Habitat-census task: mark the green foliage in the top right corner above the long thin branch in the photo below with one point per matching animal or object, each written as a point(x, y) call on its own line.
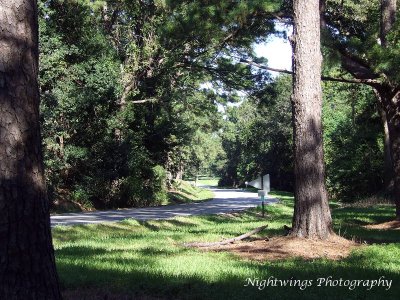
point(355, 26)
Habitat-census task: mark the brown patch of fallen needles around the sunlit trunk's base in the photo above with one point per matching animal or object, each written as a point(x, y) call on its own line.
point(284, 247)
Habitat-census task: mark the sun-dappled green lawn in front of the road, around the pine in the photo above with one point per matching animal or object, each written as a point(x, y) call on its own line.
point(146, 258)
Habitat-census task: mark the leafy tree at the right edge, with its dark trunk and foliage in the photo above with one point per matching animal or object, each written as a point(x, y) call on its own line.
point(364, 37)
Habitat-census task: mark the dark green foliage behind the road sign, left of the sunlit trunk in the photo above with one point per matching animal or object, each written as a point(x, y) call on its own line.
point(258, 135)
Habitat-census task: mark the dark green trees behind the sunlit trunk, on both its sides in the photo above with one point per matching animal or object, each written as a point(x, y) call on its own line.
point(258, 139)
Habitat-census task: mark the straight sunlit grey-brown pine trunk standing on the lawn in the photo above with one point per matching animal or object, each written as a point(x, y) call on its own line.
point(312, 218)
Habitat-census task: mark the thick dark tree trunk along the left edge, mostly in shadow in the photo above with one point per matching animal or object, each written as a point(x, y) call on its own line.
point(27, 266)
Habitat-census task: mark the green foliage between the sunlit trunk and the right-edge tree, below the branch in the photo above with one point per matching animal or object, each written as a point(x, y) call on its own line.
point(353, 141)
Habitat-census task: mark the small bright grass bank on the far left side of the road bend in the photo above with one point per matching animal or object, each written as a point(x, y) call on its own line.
point(184, 192)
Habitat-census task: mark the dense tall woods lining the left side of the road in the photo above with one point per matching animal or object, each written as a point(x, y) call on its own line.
point(124, 107)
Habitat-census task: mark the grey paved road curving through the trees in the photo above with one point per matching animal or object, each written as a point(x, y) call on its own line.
point(225, 201)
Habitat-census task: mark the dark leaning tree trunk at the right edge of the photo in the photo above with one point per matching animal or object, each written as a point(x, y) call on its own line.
point(390, 101)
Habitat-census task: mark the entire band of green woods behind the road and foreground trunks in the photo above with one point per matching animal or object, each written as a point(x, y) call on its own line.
point(137, 93)
